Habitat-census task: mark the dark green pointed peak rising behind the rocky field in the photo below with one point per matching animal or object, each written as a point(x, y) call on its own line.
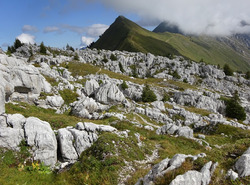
point(124, 34)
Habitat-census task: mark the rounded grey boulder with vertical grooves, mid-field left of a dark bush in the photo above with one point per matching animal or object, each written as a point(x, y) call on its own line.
point(109, 93)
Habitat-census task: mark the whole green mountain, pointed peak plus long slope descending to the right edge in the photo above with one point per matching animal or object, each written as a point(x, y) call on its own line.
point(124, 34)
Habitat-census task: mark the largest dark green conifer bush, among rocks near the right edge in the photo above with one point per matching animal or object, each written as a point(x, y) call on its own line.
point(234, 109)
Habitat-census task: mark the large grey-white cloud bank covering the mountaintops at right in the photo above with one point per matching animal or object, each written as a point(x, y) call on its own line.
point(215, 17)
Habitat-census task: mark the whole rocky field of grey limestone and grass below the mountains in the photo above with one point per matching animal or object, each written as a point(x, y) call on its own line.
point(115, 117)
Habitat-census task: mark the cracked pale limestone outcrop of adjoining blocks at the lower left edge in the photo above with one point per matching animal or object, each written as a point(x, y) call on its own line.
point(36, 133)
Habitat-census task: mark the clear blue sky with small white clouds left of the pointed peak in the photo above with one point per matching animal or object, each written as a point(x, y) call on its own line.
point(55, 22)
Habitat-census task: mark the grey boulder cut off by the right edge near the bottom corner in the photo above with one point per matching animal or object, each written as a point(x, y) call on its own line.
point(242, 165)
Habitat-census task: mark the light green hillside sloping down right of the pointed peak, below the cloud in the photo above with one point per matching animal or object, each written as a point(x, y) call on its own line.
point(209, 49)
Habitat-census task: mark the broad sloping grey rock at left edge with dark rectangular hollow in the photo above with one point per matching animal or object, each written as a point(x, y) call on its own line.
point(20, 77)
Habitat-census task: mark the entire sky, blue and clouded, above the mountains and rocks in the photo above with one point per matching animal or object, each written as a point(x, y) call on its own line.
point(79, 22)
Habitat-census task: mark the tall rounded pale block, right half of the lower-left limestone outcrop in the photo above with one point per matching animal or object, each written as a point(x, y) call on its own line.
point(42, 139)
